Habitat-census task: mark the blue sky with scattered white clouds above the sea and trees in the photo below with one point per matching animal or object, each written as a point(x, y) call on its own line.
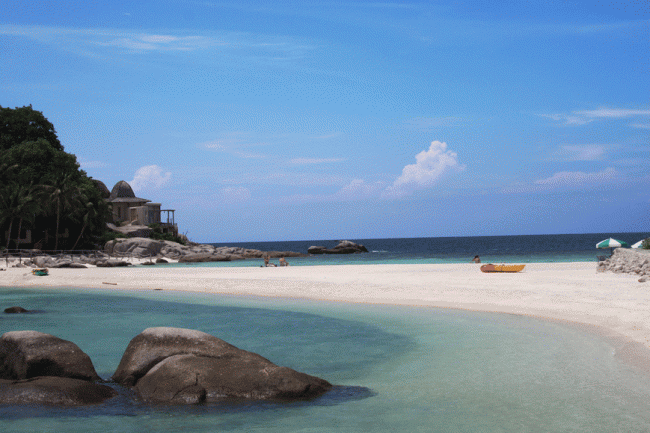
point(262, 121)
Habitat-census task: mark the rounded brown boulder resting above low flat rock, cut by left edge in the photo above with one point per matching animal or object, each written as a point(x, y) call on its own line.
point(28, 354)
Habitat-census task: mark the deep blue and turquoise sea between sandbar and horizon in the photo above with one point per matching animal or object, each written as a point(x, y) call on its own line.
point(491, 249)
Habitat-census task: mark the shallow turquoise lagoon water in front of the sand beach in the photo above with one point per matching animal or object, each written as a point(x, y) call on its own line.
point(396, 369)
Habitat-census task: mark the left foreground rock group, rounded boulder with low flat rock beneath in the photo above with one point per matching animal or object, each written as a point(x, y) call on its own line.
point(41, 368)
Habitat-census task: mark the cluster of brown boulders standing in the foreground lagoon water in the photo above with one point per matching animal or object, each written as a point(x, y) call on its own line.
point(160, 365)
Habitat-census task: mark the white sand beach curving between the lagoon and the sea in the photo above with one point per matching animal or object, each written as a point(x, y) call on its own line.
point(616, 305)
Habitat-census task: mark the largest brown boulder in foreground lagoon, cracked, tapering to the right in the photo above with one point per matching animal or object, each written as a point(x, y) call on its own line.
point(185, 366)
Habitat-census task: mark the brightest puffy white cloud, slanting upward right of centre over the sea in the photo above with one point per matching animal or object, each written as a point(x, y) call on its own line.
point(429, 167)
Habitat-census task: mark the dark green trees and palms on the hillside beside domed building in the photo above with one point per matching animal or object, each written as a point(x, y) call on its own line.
point(42, 187)
